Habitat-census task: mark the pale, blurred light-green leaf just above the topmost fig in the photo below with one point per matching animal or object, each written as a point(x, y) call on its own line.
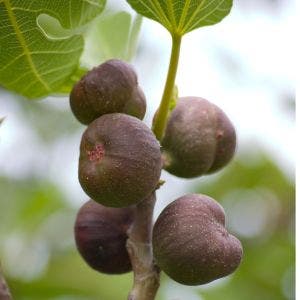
point(112, 36)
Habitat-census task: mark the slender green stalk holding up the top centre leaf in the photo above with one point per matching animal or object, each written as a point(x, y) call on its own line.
point(160, 121)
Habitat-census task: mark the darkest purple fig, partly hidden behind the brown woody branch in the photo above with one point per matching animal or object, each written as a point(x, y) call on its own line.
point(100, 236)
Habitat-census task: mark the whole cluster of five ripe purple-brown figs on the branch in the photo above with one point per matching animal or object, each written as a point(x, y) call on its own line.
point(120, 165)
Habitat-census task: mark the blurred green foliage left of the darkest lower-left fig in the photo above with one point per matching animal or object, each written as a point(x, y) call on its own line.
point(35, 212)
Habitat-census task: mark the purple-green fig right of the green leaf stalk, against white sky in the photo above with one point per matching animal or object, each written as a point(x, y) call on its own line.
point(199, 139)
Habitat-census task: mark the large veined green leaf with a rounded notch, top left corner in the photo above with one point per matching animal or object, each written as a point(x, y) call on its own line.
point(32, 62)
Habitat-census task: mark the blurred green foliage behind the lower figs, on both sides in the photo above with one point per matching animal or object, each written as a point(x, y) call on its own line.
point(28, 209)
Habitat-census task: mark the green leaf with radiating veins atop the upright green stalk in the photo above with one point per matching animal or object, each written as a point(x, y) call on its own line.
point(179, 16)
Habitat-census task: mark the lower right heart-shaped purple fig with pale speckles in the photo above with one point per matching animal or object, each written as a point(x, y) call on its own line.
point(191, 244)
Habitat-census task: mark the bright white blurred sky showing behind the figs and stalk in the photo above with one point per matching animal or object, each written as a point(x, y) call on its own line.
point(242, 64)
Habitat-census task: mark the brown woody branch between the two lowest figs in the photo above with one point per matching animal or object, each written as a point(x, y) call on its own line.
point(139, 247)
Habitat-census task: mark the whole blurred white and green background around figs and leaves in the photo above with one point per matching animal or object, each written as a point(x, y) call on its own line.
point(245, 65)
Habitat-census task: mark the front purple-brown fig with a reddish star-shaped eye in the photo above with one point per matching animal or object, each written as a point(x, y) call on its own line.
point(120, 160)
